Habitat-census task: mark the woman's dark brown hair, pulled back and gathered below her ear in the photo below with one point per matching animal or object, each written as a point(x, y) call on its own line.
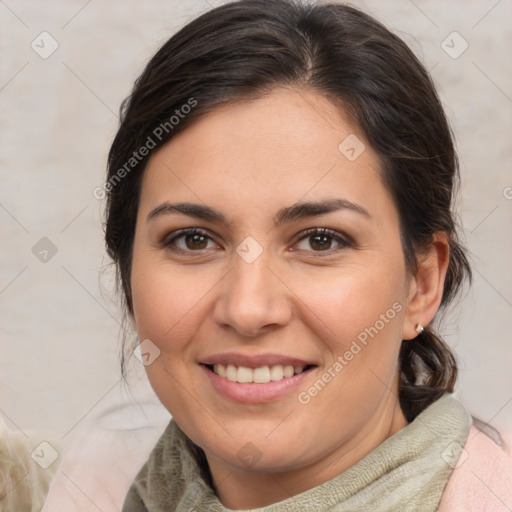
point(245, 49)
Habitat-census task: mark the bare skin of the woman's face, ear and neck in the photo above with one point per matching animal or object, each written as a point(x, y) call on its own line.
point(248, 160)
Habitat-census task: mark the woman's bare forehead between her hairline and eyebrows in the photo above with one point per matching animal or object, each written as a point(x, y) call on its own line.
point(260, 154)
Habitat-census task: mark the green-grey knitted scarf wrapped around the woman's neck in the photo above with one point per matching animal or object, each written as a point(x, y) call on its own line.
point(407, 472)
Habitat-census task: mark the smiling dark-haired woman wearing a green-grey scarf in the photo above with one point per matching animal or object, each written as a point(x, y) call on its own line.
point(280, 213)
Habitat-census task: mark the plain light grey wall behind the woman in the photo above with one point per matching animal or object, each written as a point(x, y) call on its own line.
point(59, 330)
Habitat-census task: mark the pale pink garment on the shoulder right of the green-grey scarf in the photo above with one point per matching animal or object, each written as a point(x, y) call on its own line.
point(481, 481)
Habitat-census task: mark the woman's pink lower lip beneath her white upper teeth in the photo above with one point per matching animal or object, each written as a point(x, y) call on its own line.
point(252, 393)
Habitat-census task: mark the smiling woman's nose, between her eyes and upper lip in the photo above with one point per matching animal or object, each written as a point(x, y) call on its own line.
point(252, 298)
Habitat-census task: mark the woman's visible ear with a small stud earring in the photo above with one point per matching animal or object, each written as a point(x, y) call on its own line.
point(426, 287)
